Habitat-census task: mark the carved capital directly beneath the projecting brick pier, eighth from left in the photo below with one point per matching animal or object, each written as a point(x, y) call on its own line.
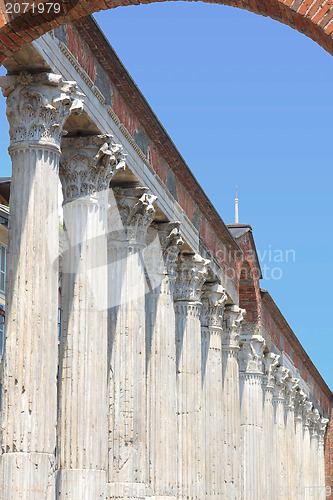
point(251, 354)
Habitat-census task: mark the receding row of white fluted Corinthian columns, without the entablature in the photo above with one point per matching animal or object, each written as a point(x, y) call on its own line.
point(157, 392)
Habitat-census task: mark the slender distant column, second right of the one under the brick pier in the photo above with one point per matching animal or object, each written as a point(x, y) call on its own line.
point(279, 426)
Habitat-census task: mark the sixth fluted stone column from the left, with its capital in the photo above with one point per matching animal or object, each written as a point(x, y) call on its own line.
point(213, 300)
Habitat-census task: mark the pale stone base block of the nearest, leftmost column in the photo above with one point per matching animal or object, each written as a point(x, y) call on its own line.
point(28, 476)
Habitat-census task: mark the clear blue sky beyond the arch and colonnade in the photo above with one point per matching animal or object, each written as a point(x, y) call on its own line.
point(247, 101)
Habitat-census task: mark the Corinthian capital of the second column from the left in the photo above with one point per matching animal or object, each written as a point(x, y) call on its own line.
point(88, 164)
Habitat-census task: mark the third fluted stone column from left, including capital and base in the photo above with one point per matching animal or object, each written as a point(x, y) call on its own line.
point(131, 213)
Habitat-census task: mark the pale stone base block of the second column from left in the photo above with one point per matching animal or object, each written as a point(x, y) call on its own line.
point(81, 484)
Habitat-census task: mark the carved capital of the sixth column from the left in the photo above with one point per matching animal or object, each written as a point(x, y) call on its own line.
point(213, 299)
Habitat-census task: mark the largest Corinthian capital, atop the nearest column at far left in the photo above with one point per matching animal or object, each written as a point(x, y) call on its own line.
point(38, 106)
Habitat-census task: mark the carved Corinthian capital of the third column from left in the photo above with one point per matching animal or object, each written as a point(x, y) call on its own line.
point(135, 206)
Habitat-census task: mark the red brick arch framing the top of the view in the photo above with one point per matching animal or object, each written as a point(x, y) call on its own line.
point(314, 18)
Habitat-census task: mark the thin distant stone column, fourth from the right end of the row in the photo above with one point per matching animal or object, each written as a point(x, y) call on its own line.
point(299, 459)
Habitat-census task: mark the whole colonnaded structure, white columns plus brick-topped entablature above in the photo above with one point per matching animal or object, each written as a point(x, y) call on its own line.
point(175, 376)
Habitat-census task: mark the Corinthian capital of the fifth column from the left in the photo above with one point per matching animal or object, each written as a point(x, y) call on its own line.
point(191, 274)
